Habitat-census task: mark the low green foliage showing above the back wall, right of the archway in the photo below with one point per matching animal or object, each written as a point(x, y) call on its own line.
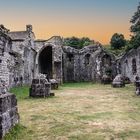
point(77, 43)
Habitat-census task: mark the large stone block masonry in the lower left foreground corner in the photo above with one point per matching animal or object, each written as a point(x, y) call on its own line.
point(8, 110)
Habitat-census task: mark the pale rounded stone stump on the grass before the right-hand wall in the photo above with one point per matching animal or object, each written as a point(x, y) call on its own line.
point(118, 81)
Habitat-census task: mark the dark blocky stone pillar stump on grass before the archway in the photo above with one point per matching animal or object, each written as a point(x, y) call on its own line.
point(40, 87)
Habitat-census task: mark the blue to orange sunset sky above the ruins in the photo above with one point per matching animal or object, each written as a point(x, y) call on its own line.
point(96, 19)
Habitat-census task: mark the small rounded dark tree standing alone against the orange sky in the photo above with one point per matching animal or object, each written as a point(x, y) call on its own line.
point(117, 41)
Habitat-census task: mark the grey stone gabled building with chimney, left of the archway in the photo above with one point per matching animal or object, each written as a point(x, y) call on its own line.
point(22, 57)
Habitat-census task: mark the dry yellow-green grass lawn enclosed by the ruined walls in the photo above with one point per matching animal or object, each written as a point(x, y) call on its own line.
point(80, 111)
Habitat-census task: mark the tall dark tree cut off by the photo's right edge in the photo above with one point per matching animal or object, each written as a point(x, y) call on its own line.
point(135, 29)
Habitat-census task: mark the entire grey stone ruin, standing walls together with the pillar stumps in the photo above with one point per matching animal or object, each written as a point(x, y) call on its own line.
point(23, 58)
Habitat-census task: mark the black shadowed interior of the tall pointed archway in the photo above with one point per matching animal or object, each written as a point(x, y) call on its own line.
point(45, 61)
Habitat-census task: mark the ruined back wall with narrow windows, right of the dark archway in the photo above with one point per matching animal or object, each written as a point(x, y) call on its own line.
point(86, 64)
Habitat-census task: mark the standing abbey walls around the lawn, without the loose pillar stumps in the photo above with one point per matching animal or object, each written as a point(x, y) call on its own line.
point(22, 58)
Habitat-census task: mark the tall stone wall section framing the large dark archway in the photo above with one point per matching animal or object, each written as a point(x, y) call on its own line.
point(55, 43)
